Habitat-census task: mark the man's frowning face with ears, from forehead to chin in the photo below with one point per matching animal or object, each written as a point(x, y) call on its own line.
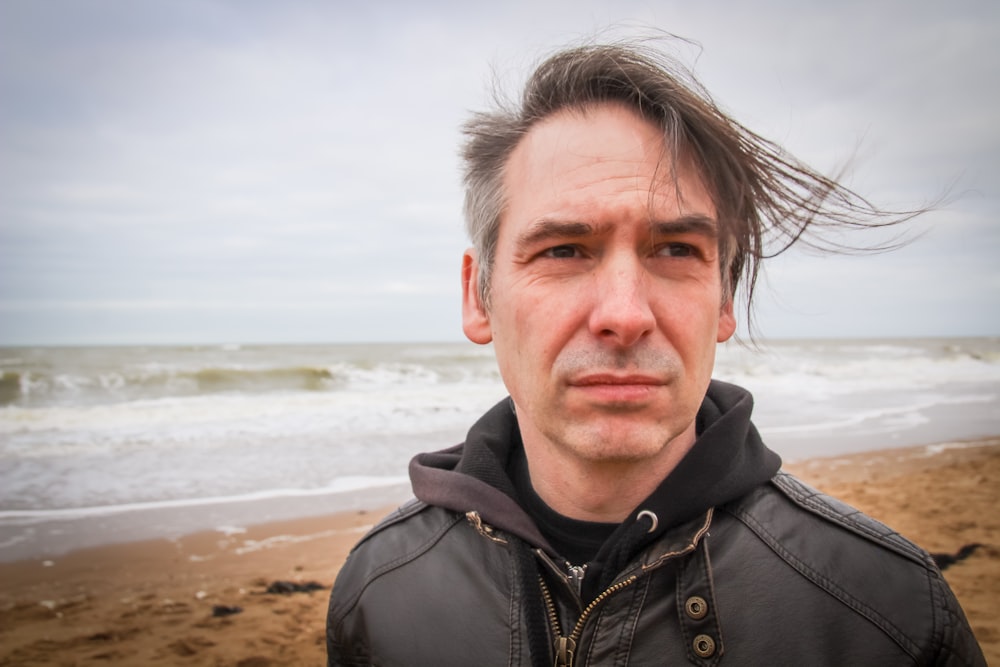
point(606, 301)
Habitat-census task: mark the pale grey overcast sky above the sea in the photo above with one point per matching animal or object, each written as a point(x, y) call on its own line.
point(250, 171)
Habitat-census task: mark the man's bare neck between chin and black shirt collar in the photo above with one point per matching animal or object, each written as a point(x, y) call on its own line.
point(602, 491)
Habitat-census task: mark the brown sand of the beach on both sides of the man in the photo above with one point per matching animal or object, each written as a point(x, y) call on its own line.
point(151, 603)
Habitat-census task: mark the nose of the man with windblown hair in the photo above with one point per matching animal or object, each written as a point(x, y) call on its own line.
point(621, 313)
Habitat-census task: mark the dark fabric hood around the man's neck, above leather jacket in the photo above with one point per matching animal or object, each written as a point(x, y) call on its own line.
point(728, 460)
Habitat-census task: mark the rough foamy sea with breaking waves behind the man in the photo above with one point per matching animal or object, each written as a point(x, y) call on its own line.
point(102, 444)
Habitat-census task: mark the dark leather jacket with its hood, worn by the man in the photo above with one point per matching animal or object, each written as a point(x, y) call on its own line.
point(776, 574)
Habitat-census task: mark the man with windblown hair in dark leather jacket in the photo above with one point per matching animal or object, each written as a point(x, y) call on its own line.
point(620, 508)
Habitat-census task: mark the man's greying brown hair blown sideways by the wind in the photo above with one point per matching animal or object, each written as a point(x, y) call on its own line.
point(765, 199)
